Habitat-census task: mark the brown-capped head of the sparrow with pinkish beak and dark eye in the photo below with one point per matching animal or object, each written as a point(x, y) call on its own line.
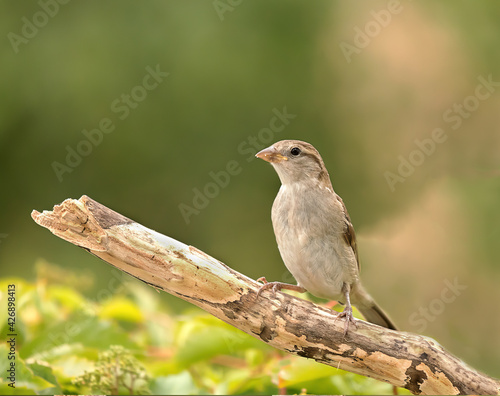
point(296, 161)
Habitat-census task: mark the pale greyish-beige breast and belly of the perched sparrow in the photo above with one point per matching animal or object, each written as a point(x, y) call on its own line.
point(309, 233)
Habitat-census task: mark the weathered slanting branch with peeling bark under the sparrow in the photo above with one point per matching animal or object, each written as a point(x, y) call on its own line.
point(288, 323)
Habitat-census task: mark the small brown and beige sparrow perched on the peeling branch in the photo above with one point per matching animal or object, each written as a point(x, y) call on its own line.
point(315, 234)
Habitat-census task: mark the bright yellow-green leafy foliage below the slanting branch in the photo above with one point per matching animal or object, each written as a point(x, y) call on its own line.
point(130, 343)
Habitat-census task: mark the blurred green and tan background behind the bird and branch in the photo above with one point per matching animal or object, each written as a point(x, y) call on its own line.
point(400, 98)
